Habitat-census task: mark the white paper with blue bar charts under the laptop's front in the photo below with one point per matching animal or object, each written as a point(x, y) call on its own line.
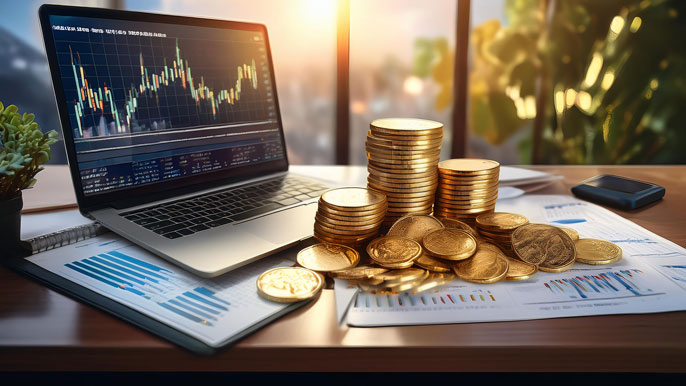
point(211, 310)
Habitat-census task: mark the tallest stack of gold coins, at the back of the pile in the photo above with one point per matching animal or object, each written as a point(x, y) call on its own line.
point(403, 154)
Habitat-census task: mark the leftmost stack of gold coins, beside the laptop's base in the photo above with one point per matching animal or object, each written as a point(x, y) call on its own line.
point(349, 216)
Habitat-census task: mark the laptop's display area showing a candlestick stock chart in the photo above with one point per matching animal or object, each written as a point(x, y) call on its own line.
point(150, 102)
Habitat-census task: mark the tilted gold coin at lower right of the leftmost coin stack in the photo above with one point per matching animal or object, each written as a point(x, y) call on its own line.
point(394, 251)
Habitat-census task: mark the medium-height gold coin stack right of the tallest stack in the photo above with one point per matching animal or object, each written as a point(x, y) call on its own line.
point(466, 189)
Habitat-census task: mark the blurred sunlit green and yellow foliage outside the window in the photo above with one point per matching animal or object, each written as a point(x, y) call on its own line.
point(587, 81)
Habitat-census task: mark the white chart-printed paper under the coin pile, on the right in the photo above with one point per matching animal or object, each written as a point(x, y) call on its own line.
point(650, 277)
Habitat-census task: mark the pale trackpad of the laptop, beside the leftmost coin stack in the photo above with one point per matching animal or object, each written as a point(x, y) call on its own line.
point(286, 226)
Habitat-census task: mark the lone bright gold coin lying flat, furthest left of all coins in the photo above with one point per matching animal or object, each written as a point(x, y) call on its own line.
point(289, 284)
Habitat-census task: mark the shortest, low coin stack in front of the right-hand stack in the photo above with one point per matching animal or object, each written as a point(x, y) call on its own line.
point(497, 227)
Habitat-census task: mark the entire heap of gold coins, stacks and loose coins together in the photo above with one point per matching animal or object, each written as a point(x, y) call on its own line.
point(464, 238)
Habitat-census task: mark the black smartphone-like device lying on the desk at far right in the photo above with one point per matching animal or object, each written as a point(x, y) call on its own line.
point(618, 192)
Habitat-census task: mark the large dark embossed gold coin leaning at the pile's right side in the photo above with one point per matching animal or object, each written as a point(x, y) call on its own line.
point(539, 243)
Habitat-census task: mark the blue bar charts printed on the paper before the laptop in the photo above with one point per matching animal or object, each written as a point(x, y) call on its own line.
point(158, 285)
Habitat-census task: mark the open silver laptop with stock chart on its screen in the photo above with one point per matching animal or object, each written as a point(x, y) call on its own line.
point(173, 134)
